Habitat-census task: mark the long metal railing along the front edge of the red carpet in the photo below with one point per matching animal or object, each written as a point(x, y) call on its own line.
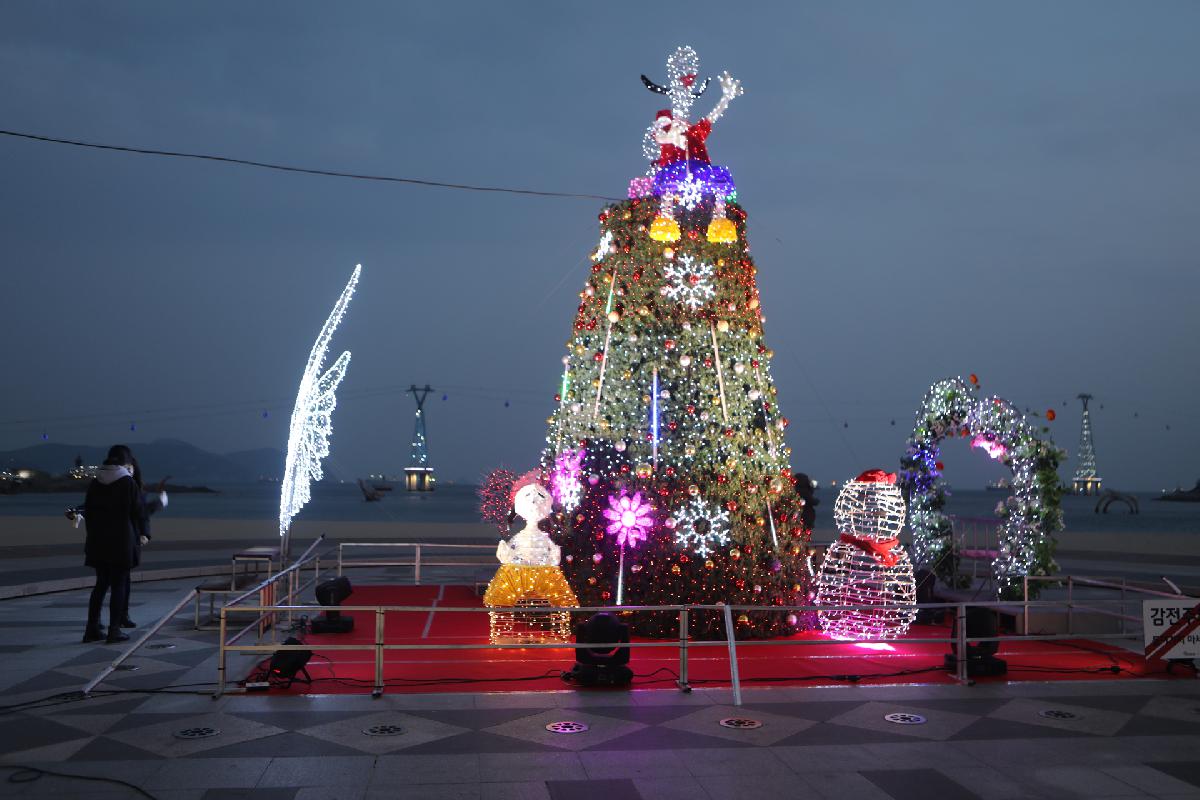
point(959, 640)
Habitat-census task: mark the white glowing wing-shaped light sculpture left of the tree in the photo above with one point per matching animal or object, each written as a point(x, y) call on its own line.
point(313, 419)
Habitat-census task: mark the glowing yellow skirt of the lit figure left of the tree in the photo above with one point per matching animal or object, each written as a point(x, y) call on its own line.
point(518, 592)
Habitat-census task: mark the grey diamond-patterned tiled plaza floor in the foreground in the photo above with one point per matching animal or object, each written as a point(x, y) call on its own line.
point(1121, 739)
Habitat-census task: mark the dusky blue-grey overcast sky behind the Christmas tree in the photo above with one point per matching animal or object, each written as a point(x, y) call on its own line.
point(934, 189)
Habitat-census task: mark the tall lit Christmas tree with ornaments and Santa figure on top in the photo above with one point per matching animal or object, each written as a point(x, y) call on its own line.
point(667, 450)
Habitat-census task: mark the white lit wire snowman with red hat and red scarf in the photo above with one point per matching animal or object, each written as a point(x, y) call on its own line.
point(867, 566)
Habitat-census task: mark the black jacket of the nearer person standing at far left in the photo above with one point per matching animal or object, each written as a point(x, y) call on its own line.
point(116, 518)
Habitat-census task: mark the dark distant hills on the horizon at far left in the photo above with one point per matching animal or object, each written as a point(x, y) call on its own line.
point(184, 462)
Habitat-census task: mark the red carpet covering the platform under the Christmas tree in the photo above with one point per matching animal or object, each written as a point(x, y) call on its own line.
point(823, 663)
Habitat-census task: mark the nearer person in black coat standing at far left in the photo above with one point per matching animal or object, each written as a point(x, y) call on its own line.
point(116, 519)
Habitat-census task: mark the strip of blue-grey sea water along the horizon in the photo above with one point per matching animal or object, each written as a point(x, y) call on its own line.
point(459, 504)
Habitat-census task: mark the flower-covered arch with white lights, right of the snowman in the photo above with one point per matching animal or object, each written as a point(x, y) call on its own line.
point(1030, 516)
